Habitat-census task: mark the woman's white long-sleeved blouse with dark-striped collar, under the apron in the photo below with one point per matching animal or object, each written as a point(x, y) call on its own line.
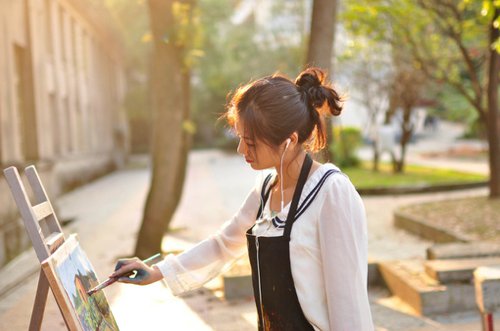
point(328, 252)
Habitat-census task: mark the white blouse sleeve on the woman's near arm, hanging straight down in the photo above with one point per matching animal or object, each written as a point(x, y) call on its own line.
point(343, 244)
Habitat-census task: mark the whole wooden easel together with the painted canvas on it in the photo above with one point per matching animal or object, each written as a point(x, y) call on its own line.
point(66, 269)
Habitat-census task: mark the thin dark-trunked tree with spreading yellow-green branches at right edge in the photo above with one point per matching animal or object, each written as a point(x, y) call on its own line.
point(463, 27)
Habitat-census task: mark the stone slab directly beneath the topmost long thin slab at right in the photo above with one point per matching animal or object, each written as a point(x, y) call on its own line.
point(457, 270)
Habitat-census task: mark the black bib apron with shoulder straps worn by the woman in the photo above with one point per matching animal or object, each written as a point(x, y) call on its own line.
point(277, 304)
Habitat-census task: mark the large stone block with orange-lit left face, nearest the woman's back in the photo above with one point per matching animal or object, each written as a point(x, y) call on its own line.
point(407, 280)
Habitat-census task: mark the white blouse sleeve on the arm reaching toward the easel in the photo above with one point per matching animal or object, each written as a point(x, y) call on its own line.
point(199, 264)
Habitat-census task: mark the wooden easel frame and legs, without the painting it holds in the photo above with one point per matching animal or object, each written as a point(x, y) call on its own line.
point(43, 229)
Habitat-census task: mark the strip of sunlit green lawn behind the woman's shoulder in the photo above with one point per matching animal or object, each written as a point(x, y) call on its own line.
point(364, 177)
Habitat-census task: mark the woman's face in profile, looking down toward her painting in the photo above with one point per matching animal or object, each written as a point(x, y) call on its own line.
point(258, 154)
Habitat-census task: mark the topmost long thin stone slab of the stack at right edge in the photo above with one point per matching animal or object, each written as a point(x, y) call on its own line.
point(463, 250)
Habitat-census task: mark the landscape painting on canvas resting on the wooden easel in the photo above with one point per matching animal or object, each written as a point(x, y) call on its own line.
point(71, 275)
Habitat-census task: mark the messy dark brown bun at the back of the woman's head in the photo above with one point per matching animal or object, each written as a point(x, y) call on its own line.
point(316, 90)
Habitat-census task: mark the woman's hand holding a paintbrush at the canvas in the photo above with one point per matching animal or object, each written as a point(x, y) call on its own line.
point(134, 271)
